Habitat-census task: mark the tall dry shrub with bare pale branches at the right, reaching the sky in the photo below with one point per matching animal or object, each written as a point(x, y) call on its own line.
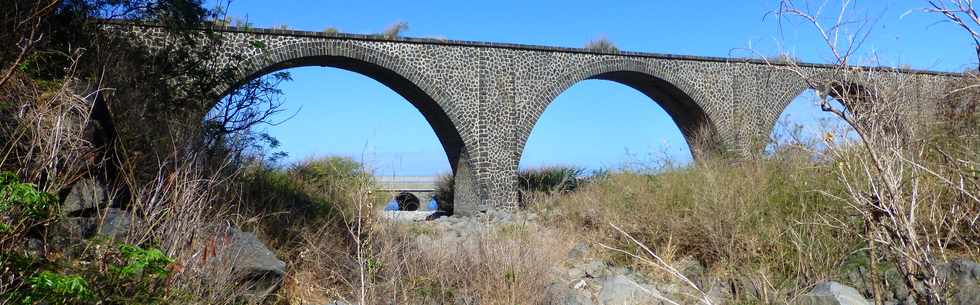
point(888, 179)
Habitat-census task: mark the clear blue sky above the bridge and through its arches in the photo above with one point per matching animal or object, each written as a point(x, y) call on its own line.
point(344, 113)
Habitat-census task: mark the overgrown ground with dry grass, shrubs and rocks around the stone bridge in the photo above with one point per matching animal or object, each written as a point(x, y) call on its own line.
point(120, 185)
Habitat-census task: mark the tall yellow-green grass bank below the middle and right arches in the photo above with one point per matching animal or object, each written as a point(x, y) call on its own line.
point(764, 220)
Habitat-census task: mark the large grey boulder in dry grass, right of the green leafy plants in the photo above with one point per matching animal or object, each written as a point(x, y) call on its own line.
point(252, 264)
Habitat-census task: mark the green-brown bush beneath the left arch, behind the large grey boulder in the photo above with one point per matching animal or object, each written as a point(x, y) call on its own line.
point(319, 193)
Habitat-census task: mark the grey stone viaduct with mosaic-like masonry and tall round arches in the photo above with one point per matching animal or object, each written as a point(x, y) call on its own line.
point(482, 99)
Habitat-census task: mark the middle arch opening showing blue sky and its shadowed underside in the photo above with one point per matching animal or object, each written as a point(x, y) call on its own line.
point(597, 125)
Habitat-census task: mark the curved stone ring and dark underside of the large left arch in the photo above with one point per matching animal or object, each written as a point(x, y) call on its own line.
point(390, 71)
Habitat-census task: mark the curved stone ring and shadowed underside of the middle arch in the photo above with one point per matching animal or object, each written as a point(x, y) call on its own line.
point(682, 101)
